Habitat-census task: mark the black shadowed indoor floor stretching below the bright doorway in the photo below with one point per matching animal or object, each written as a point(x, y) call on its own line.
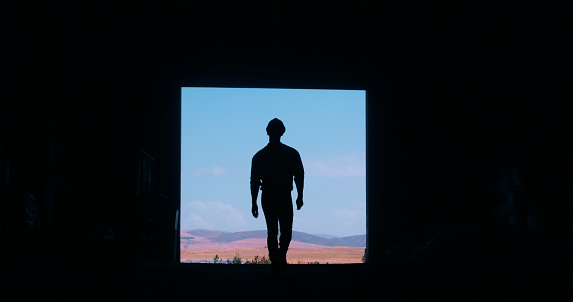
point(300, 283)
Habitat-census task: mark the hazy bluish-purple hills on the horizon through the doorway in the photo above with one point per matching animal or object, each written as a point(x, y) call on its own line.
point(209, 239)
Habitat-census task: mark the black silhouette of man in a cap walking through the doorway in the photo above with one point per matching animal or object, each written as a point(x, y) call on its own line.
point(273, 169)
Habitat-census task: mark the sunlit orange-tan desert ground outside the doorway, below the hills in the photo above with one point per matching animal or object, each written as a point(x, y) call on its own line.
point(323, 255)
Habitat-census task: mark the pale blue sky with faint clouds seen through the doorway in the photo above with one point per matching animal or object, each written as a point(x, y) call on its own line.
point(221, 130)
